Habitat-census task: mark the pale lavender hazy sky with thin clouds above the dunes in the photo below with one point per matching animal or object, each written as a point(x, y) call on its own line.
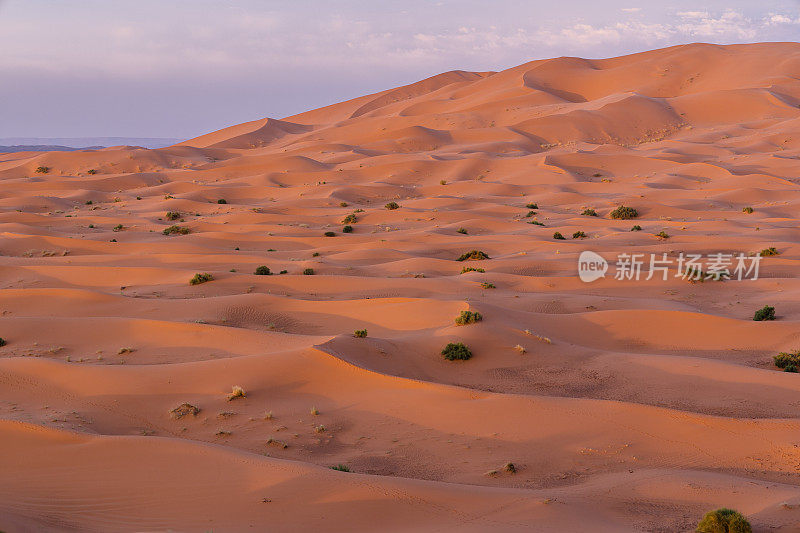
point(181, 68)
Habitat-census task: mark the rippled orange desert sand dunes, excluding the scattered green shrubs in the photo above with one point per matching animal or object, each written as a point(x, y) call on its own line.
point(623, 405)
